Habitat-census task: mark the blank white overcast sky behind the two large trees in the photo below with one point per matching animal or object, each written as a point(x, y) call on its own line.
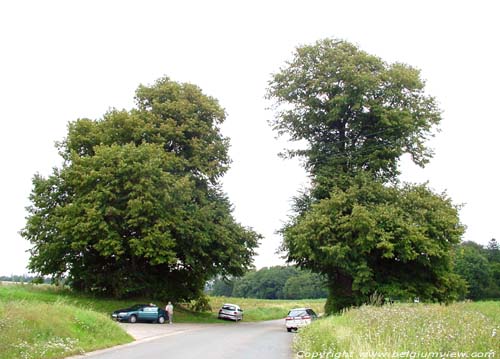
point(64, 60)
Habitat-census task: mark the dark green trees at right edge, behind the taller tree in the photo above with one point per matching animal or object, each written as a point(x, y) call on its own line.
point(480, 267)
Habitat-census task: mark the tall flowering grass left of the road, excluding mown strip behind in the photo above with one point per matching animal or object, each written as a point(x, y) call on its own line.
point(33, 329)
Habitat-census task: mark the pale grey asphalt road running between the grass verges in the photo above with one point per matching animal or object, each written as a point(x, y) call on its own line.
point(208, 341)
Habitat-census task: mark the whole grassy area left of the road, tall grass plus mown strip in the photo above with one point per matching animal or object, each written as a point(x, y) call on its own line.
point(43, 321)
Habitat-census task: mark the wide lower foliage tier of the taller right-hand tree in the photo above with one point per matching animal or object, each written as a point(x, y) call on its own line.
point(376, 238)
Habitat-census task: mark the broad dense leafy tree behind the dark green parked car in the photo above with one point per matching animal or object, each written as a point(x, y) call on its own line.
point(136, 208)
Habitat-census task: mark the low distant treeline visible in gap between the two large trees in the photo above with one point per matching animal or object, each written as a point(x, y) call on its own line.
point(279, 282)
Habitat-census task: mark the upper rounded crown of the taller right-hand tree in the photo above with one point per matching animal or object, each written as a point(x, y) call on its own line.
point(354, 111)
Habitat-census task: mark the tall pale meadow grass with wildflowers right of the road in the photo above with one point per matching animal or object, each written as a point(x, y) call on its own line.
point(405, 331)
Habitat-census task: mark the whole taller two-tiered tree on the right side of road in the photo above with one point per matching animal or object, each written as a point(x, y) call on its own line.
point(353, 116)
